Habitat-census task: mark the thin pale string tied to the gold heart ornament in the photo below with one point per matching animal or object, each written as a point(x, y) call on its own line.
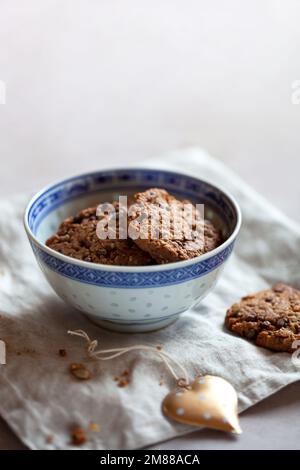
point(116, 352)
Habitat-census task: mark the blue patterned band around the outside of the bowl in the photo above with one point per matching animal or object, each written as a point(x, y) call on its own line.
point(134, 280)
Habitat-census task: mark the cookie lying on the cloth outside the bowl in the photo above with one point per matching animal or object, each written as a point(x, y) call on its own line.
point(270, 318)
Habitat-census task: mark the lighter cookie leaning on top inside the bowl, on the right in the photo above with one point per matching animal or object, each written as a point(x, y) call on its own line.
point(181, 240)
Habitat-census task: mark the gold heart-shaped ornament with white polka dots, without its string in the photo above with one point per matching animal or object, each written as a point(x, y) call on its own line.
point(209, 401)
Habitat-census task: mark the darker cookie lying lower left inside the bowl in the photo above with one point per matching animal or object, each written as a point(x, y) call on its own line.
point(77, 238)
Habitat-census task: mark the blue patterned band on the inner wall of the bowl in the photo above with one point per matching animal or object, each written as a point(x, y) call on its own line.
point(128, 180)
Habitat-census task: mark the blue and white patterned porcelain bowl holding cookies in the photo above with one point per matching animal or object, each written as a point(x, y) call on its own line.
point(125, 298)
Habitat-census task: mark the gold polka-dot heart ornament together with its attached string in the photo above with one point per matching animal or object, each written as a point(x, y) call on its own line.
point(208, 401)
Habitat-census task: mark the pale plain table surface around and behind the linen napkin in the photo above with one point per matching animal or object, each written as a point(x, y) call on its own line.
point(98, 83)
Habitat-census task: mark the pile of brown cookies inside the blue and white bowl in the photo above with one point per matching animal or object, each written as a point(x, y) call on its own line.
point(146, 243)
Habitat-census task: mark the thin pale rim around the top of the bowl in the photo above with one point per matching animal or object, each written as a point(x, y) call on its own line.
point(133, 269)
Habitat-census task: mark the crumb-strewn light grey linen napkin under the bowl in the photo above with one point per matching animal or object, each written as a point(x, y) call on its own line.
point(38, 396)
